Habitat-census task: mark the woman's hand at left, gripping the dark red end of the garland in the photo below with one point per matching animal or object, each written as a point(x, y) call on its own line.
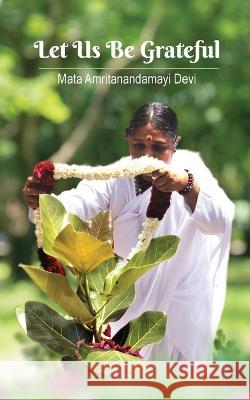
point(33, 187)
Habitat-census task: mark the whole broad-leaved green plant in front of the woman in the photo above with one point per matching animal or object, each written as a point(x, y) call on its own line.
point(93, 286)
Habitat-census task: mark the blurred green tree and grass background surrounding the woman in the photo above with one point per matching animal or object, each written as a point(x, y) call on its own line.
point(84, 124)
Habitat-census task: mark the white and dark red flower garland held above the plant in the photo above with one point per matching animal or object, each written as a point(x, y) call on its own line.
point(47, 172)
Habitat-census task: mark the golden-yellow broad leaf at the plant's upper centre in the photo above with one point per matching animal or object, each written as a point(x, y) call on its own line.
point(81, 250)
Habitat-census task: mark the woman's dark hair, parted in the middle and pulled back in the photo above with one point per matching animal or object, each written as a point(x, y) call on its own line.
point(159, 115)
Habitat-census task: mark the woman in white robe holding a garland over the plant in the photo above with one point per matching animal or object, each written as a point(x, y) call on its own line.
point(191, 286)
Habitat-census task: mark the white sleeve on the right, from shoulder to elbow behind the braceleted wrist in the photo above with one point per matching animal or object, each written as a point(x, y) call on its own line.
point(213, 211)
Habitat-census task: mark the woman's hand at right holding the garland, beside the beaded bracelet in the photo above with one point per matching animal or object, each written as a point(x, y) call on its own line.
point(170, 181)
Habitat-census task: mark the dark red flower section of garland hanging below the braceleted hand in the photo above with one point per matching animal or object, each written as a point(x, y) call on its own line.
point(159, 203)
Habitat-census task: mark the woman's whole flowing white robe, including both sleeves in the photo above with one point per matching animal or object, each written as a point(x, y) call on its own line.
point(191, 286)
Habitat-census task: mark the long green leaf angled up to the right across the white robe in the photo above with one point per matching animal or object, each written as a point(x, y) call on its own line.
point(160, 249)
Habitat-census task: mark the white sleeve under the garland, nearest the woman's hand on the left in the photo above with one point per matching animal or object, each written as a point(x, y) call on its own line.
point(87, 199)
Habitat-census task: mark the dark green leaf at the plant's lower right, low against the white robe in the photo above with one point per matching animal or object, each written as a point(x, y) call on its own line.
point(149, 328)
